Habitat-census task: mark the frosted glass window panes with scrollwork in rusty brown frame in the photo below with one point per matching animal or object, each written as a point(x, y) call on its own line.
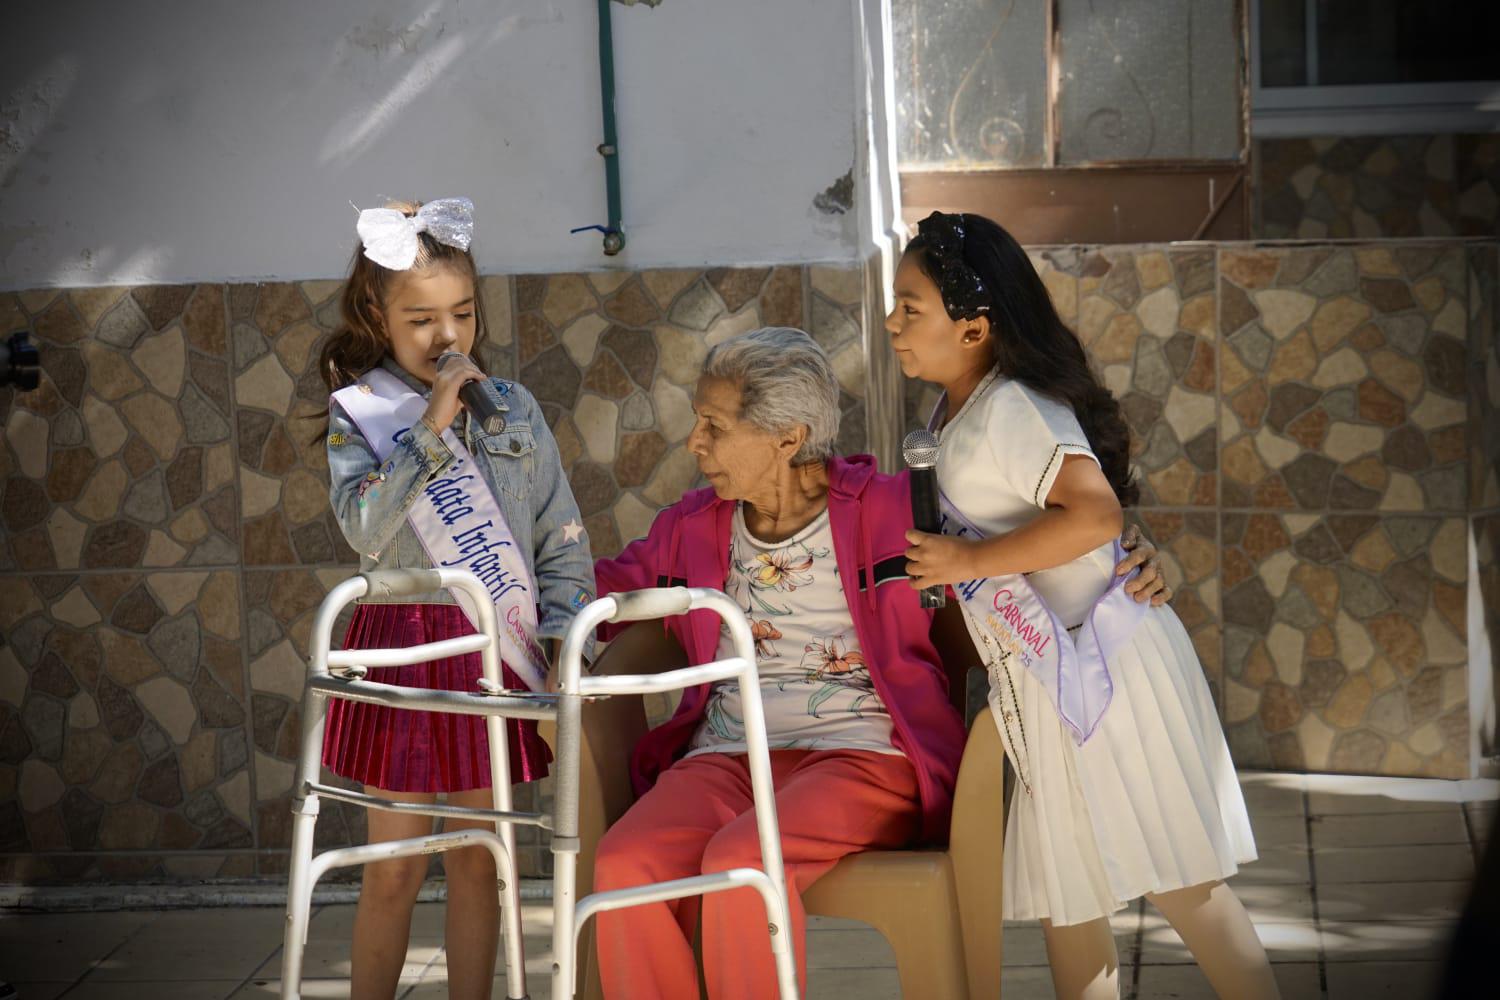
point(1004, 85)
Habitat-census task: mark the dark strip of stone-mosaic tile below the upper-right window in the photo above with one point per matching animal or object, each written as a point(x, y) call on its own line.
point(1378, 187)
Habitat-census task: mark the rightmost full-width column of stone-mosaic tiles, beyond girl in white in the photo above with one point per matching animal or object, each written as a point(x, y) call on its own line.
point(1346, 452)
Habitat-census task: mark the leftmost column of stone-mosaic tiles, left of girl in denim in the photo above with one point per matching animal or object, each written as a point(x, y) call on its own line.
point(127, 698)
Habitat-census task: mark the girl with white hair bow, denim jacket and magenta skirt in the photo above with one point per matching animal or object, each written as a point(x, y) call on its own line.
point(418, 482)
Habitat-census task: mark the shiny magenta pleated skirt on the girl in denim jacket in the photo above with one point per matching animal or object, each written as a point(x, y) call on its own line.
point(404, 750)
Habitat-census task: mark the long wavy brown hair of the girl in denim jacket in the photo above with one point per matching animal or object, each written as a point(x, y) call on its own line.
point(361, 340)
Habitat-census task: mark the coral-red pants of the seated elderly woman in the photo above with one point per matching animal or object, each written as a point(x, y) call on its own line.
point(698, 819)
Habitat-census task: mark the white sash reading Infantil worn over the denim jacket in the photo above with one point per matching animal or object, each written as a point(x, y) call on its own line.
point(458, 519)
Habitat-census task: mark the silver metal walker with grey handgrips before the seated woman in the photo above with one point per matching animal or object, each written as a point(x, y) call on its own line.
point(569, 914)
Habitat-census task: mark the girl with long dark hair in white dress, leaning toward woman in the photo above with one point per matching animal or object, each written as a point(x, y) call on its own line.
point(1127, 786)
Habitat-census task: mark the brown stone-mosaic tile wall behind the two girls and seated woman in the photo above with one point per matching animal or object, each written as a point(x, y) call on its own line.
point(1315, 428)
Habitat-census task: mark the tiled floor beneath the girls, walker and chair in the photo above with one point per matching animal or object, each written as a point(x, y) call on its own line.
point(1355, 896)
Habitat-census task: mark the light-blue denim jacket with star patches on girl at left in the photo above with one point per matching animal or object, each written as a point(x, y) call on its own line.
point(520, 464)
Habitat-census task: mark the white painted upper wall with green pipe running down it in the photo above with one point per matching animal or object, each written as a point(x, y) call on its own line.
point(212, 140)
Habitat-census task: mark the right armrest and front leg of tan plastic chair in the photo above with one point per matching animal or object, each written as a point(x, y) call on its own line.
point(976, 848)
